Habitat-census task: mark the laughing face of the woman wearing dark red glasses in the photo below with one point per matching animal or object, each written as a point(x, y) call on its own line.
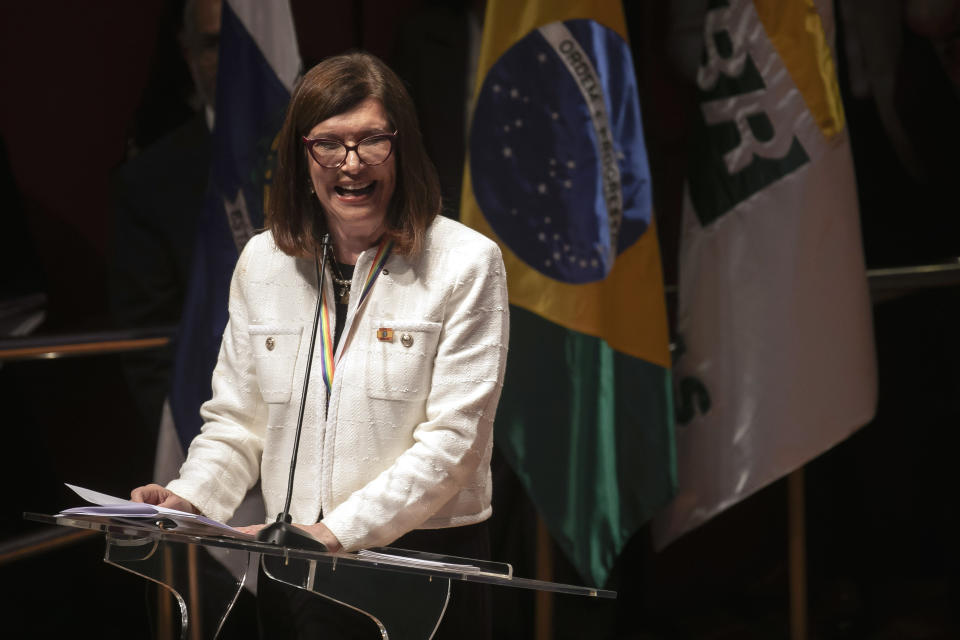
point(354, 196)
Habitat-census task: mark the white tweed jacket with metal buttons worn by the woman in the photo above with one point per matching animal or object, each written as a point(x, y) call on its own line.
point(405, 442)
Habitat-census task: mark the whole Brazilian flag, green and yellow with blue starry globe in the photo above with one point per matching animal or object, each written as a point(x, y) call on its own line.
point(557, 174)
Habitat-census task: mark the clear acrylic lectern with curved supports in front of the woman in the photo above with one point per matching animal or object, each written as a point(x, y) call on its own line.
point(404, 592)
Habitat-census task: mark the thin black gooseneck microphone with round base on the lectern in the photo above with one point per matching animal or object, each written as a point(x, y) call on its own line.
point(282, 532)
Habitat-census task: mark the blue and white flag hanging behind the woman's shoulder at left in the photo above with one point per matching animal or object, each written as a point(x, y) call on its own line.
point(258, 65)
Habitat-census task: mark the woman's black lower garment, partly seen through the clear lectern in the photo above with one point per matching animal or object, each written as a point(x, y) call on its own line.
point(287, 612)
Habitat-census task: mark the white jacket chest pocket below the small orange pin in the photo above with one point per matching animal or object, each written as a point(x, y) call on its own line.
point(400, 359)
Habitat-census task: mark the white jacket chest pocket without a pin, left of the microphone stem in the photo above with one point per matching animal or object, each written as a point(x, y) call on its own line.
point(275, 350)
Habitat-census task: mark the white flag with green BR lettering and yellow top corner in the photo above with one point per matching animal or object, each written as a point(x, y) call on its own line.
point(775, 359)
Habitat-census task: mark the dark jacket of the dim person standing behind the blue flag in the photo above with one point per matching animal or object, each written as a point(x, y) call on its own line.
point(157, 198)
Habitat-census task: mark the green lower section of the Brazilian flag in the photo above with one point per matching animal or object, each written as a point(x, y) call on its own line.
point(589, 432)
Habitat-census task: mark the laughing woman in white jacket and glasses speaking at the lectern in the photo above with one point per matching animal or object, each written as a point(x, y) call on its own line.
point(410, 354)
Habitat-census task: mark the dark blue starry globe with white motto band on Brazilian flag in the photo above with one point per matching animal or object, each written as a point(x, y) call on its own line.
point(558, 163)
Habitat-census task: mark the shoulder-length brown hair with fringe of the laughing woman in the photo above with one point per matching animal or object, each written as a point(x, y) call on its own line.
point(332, 87)
